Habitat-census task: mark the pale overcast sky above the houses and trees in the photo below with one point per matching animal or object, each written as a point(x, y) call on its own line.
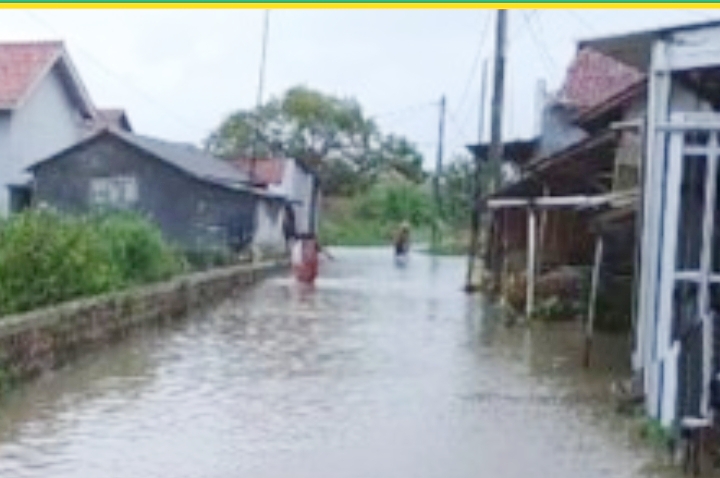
point(178, 73)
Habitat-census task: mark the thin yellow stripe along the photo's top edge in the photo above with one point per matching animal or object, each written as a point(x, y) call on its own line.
point(353, 5)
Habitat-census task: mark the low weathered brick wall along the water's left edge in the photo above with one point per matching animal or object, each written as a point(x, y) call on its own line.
point(44, 339)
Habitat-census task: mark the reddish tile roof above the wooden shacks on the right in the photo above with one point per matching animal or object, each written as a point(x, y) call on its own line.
point(593, 78)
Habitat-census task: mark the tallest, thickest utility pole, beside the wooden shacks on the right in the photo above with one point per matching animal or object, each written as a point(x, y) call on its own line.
point(496, 146)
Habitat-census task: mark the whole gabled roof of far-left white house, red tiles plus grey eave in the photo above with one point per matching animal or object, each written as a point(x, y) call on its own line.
point(24, 64)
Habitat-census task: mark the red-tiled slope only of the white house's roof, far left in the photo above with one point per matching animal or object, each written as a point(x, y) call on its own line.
point(21, 64)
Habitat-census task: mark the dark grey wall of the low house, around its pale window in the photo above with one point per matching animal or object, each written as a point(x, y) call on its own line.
point(191, 213)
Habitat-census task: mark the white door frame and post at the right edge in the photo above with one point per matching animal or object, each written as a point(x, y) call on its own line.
point(666, 233)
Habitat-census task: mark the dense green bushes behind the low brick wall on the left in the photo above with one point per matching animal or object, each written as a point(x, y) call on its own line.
point(46, 257)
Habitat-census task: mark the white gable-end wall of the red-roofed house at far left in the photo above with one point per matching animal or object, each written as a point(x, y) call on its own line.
point(44, 124)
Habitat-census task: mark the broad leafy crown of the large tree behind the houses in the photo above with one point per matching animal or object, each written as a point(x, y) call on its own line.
point(331, 134)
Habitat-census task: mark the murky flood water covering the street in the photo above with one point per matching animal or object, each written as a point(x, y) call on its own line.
point(378, 371)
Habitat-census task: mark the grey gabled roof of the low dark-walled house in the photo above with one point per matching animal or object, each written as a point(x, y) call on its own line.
point(183, 156)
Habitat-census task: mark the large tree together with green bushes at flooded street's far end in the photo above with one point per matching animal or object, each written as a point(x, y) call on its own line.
point(371, 180)
